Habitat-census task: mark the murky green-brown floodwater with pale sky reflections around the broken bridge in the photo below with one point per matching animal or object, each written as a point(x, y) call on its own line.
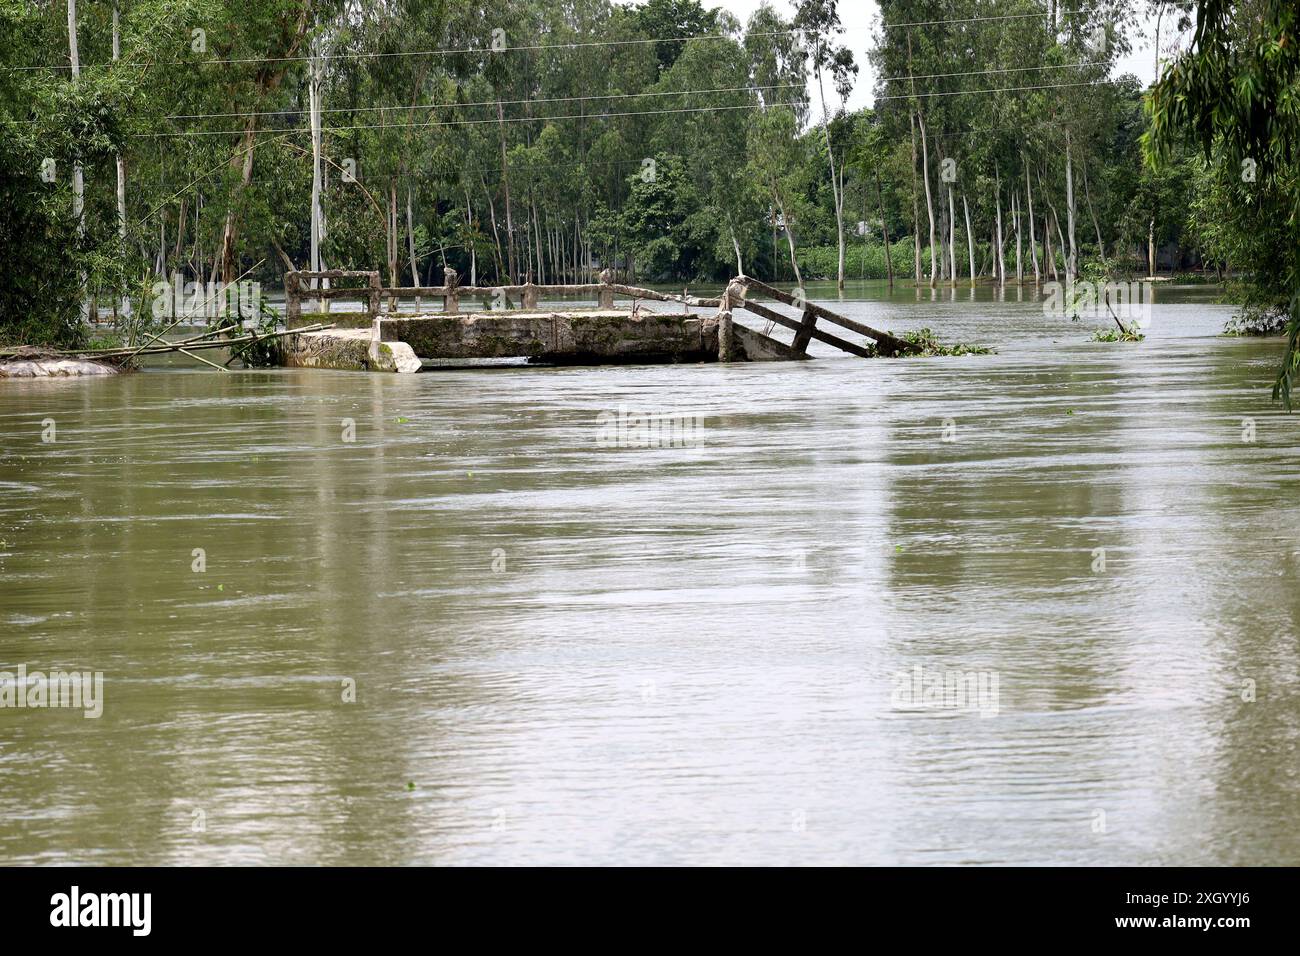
point(566, 652)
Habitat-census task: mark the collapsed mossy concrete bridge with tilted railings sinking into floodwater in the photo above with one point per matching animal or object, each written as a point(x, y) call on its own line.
point(395, 341)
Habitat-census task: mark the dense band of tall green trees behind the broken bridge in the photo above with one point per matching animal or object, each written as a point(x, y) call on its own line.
point(514, 140)
